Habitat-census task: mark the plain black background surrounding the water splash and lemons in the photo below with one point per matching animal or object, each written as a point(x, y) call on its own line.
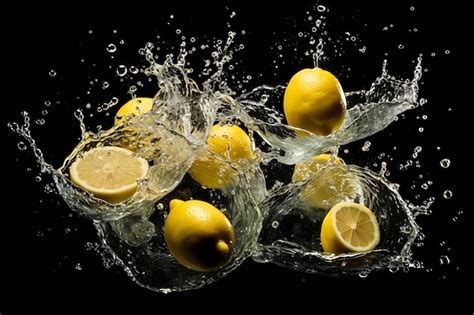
point(38, 258)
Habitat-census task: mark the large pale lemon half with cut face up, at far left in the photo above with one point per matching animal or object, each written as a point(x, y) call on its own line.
point(109, 173)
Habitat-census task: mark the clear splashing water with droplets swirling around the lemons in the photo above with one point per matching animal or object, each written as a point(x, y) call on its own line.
point(271, 223)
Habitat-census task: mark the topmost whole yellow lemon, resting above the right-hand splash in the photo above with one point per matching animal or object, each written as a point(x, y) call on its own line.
point(314, 101)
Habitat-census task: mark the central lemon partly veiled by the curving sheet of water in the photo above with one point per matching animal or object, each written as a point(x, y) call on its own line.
point(230, 143)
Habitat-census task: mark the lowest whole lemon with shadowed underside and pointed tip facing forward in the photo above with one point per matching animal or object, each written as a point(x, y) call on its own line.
point(198, 235)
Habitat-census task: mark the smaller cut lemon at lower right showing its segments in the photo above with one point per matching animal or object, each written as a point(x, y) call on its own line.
point(349, 227)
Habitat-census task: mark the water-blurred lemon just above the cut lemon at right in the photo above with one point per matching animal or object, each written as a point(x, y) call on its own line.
point(331, 186)
